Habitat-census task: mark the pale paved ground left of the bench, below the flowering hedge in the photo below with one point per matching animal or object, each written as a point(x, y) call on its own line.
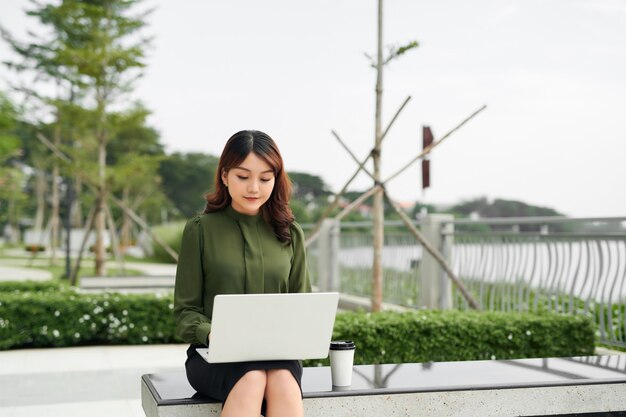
point(81, 381)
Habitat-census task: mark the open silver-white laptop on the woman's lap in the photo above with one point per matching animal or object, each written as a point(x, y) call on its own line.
point(261, 327)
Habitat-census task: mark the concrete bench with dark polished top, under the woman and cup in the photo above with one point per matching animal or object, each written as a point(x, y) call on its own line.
point(583, 386)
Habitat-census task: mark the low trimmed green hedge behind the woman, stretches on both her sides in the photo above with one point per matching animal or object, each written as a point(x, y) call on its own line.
point(67, 318)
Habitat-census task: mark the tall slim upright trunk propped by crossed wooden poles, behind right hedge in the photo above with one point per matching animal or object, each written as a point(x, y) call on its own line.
point(378, 215)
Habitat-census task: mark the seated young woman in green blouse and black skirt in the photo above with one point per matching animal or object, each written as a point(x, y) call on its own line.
point(245, 242)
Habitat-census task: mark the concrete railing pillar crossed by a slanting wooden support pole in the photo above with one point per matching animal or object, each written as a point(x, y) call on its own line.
point(435, 286)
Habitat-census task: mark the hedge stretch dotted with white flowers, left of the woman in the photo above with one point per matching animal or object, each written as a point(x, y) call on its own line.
point(68, 318)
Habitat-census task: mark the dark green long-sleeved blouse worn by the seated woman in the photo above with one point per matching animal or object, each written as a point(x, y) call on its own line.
point(226, 252)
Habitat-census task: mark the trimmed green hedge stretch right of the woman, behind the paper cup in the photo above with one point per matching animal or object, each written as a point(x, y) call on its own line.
point(426, 335)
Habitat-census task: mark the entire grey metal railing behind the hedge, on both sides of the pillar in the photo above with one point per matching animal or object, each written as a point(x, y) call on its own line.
point(573, 266)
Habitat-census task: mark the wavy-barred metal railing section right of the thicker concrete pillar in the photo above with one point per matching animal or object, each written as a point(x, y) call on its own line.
point(573, 266)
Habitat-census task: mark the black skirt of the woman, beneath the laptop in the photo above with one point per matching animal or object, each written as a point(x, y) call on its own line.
point(215, 380)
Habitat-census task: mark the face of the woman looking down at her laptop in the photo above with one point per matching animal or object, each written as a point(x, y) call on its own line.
point(250, 184)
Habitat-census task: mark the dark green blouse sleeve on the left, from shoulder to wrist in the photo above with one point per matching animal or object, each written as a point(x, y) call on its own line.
point(192, 325)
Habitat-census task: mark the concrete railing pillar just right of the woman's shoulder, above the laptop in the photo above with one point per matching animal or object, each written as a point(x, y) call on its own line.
point(328, 255)
